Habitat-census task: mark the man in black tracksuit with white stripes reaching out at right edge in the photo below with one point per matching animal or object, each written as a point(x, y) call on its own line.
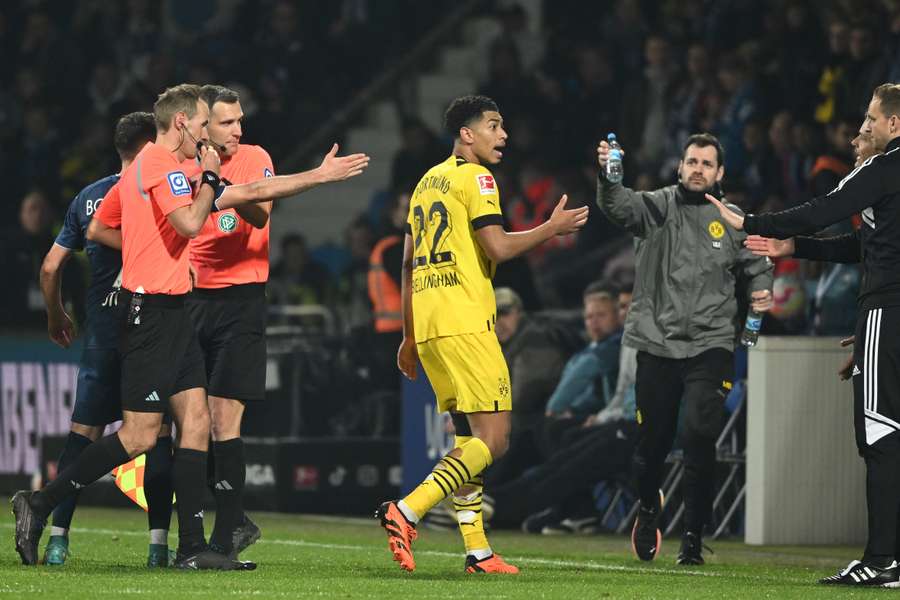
point(873, 190)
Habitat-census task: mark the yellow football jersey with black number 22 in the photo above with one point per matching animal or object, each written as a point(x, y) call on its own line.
point(451, 280)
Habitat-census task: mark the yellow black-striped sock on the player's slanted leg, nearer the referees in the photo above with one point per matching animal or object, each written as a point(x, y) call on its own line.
point(448, 475)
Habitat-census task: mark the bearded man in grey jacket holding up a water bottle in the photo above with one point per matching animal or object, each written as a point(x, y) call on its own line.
point(682, 324)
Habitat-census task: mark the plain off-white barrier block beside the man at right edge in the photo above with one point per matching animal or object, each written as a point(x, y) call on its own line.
point(805, 480)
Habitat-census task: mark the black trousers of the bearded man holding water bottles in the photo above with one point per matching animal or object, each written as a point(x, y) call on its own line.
point(703, 381)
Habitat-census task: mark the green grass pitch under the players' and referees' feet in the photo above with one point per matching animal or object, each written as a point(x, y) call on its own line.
point(333, 557)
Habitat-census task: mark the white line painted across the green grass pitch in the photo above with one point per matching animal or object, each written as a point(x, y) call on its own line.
point(572, 564)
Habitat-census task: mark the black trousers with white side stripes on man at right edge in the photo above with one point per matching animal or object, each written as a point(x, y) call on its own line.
point(876, 403)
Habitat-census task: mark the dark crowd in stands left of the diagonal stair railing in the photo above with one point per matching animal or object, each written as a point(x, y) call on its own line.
point(71, 69)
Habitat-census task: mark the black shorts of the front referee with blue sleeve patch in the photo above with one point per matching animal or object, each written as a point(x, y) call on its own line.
point(159, 351)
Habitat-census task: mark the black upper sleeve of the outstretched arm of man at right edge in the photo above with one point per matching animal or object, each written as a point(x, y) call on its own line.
point(859, 190)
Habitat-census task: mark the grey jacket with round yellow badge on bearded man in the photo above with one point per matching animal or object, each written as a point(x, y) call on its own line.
point(687, 261)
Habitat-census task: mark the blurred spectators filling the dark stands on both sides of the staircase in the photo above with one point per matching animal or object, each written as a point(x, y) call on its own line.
point(784, 86)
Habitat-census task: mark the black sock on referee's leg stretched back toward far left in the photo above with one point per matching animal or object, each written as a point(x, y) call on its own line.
point(93, 463)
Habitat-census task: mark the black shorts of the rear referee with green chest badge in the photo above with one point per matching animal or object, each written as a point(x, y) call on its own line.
point(231, 328)
